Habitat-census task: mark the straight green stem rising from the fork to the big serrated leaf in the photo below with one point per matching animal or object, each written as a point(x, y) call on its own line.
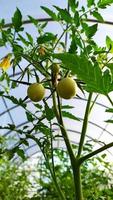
point(84, 127)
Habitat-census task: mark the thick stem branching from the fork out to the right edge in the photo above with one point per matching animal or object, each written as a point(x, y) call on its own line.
point(84, 158)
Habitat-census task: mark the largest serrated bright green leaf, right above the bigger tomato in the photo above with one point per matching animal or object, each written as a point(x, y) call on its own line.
point(95, 79)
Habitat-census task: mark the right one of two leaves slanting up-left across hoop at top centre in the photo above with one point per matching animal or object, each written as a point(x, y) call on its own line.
point(64, 14)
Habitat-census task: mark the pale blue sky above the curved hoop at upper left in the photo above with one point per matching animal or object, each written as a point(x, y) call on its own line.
point(27, 7)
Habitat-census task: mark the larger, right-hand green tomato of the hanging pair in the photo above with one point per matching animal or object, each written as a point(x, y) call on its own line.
point(67, 88)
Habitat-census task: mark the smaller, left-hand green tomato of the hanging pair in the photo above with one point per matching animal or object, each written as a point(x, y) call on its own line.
point(36, 92)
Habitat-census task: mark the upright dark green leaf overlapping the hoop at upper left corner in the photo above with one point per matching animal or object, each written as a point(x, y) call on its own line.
point(17, 20)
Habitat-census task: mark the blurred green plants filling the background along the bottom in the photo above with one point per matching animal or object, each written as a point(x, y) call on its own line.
point(22, 183)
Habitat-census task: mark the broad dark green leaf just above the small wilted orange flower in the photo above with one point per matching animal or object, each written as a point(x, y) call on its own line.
point(47, 37)
